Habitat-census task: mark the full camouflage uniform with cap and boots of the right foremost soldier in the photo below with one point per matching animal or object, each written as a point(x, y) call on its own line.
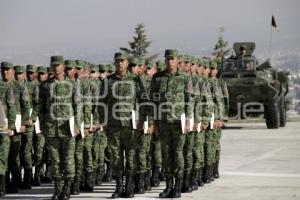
point(174, 98)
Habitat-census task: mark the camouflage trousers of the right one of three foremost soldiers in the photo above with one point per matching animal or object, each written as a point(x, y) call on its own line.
point(172, 142)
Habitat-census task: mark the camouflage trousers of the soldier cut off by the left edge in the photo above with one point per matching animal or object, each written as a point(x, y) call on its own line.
point(4, 150)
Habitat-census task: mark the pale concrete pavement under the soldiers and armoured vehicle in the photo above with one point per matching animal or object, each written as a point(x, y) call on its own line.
point(257, 163)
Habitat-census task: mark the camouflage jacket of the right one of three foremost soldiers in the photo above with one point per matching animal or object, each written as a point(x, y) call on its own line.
point(171, 95)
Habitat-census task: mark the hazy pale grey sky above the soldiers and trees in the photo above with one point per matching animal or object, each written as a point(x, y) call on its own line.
point(33, 30)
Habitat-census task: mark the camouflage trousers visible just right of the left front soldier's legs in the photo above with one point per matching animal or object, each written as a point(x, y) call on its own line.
point(78, 156)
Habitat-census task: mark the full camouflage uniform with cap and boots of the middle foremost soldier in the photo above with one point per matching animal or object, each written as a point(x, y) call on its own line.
point(121, 96)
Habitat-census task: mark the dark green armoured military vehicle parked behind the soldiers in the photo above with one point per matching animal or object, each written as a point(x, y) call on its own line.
point(255, 89)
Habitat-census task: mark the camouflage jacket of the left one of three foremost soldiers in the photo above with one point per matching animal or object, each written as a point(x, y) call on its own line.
point(59, 101)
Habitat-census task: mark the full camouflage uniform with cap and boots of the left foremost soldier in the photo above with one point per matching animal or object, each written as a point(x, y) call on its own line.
point(59, 100)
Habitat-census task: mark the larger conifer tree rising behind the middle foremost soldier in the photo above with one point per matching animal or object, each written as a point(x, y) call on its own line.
point(140, 43)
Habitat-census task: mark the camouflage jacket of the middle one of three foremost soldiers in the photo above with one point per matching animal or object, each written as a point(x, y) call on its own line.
point(121, 96)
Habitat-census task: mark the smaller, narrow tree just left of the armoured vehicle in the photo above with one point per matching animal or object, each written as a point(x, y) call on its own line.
point(220, 48)
